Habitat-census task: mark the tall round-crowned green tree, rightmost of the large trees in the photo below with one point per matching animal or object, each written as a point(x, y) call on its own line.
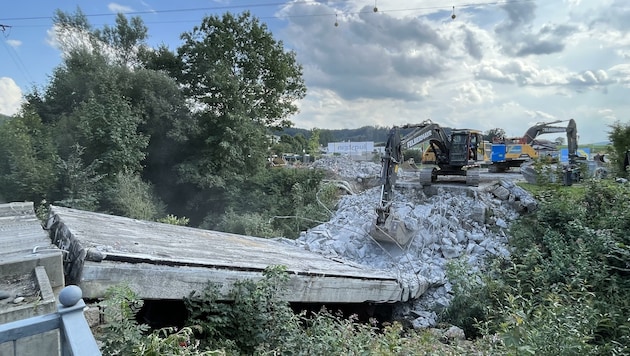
point(242, 82)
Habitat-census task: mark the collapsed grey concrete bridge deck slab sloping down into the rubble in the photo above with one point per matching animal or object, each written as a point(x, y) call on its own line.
point(162, 261)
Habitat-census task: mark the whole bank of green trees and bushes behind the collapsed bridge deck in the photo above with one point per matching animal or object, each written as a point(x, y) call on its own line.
point(151, 133)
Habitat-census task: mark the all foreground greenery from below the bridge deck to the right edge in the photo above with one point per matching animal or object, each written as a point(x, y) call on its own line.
point(563, 290)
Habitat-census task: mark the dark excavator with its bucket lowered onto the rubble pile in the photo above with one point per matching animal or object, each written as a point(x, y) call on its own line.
point(456, 152)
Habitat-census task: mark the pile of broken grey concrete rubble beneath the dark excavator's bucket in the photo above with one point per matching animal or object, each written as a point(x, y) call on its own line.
point(462, 224)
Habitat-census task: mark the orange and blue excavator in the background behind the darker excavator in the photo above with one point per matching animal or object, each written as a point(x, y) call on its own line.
point(513, 152)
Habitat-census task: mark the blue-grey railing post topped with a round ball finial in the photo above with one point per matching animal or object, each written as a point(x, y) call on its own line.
point(76, 337)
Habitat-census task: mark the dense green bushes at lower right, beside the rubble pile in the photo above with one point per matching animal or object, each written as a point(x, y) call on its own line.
point(566, 280)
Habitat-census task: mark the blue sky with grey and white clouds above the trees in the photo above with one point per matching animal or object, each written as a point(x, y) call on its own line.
point(498, 64)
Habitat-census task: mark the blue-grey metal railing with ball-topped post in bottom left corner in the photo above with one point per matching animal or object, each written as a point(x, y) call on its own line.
point(76, 338)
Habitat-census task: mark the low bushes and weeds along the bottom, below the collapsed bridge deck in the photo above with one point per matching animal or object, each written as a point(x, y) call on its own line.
point(260, 322)
